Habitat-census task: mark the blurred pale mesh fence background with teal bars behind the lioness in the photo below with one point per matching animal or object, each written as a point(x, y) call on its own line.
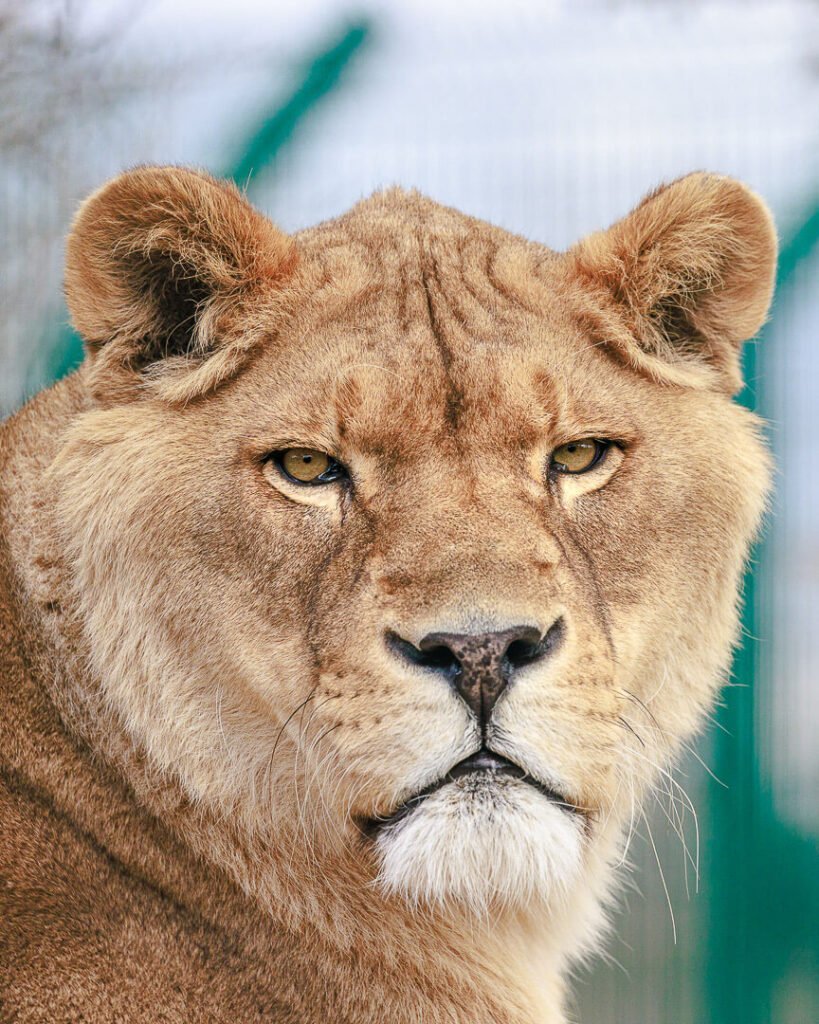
point(551, 119)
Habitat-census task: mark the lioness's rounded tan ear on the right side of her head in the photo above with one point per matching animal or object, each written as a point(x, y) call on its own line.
point(689, 274)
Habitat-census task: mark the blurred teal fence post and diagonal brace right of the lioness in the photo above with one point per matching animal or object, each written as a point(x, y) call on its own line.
point(764, 877)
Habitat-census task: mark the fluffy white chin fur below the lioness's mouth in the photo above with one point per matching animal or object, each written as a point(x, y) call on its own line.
point(480, 841)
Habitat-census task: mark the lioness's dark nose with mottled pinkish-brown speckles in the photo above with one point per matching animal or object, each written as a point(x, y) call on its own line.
point(481, 666)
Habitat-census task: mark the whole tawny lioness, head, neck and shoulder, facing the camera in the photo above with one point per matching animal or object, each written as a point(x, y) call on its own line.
point(355, 590)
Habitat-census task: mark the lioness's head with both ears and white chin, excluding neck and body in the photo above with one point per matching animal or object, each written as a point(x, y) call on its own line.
point(449, 659)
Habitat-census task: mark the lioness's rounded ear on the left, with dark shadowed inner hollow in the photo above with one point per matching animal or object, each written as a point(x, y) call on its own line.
point(164, 270)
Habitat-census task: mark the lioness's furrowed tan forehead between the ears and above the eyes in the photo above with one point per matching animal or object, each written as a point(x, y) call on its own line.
point(409, 335)
